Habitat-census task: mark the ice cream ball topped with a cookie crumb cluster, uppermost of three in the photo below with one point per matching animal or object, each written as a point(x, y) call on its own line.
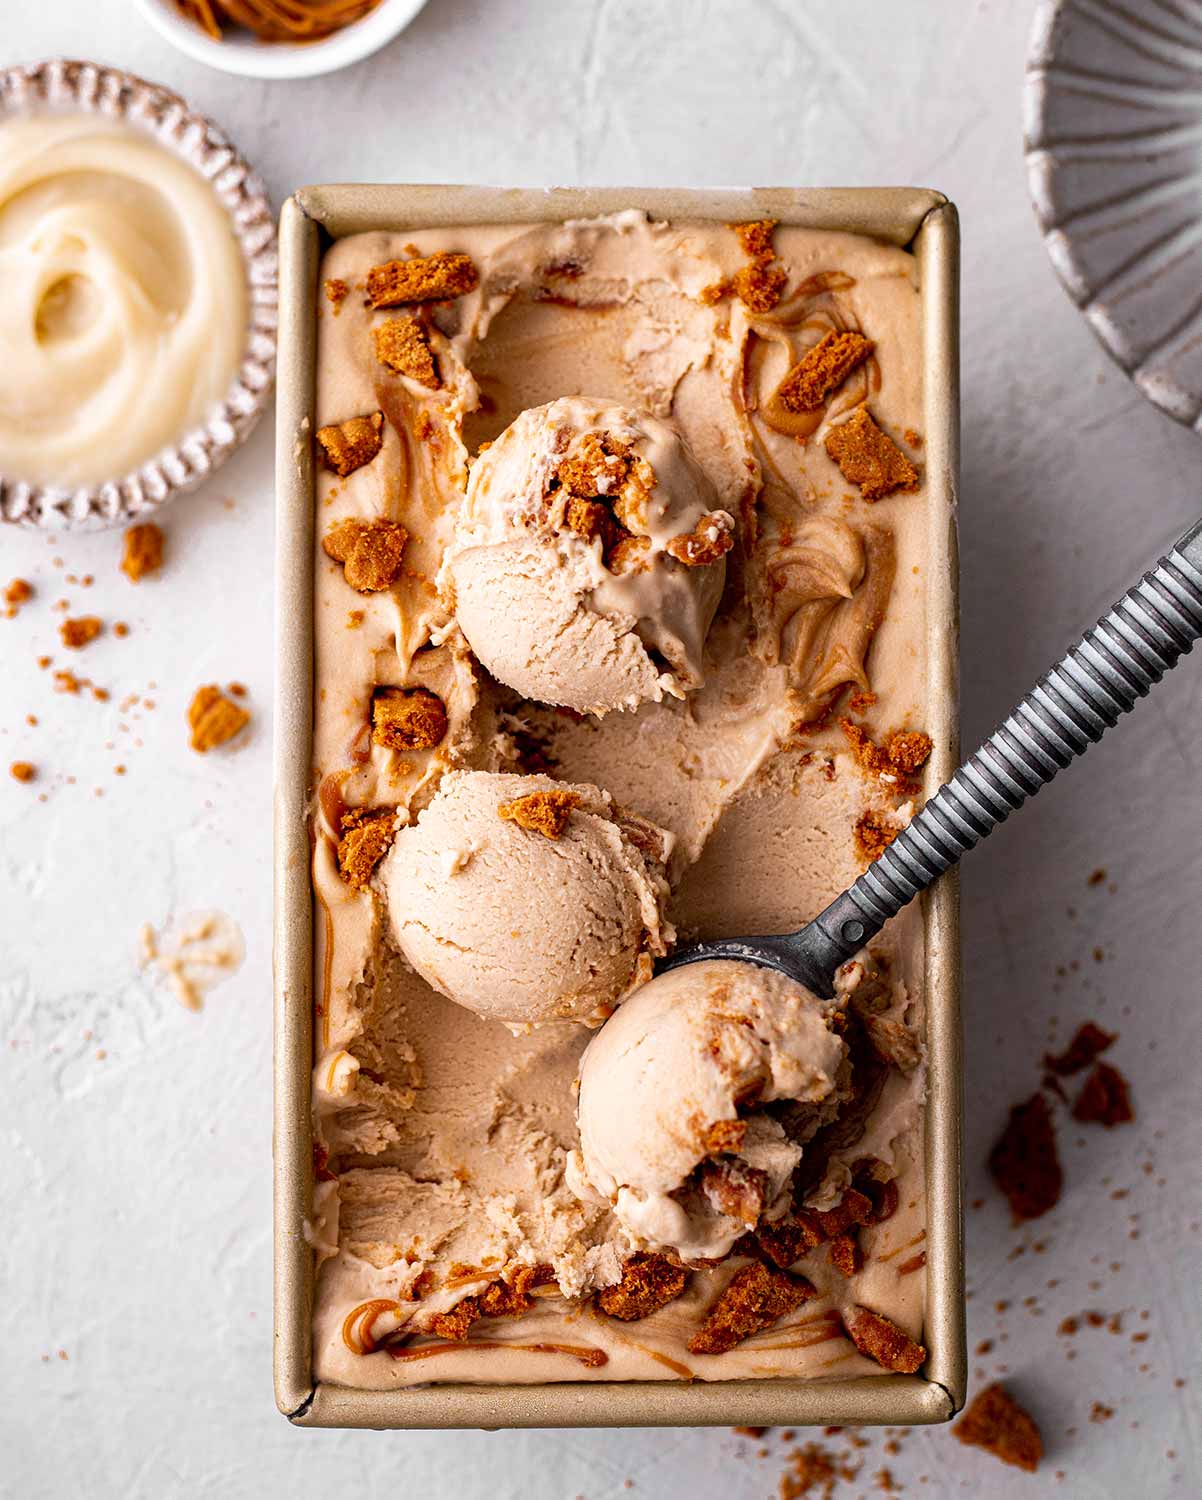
point(589, 557)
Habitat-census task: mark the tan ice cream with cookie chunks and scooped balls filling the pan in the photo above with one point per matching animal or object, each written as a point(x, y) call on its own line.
point(621, 619)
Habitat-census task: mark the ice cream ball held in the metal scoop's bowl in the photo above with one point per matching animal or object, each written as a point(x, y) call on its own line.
point(675, 1130)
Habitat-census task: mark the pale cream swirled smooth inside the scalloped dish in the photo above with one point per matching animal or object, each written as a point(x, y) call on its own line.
point(125, 299)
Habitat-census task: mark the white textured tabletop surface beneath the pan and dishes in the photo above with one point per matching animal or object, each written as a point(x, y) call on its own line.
point(136, 1187)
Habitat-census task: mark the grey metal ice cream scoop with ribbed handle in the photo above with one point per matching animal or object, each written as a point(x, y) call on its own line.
point(1102, 677)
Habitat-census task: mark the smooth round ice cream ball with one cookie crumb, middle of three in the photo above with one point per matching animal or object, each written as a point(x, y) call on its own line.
point(529, 901)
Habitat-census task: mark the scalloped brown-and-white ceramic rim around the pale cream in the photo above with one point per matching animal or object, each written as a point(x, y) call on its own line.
point(73, 86)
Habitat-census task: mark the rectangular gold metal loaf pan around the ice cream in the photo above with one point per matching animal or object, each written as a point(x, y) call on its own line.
point(916, 218)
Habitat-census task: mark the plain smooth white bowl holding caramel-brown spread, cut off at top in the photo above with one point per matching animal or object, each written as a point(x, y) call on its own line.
point(253, 59)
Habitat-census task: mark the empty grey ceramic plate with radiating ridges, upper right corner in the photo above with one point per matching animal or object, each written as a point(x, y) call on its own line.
point(1114, 160)
